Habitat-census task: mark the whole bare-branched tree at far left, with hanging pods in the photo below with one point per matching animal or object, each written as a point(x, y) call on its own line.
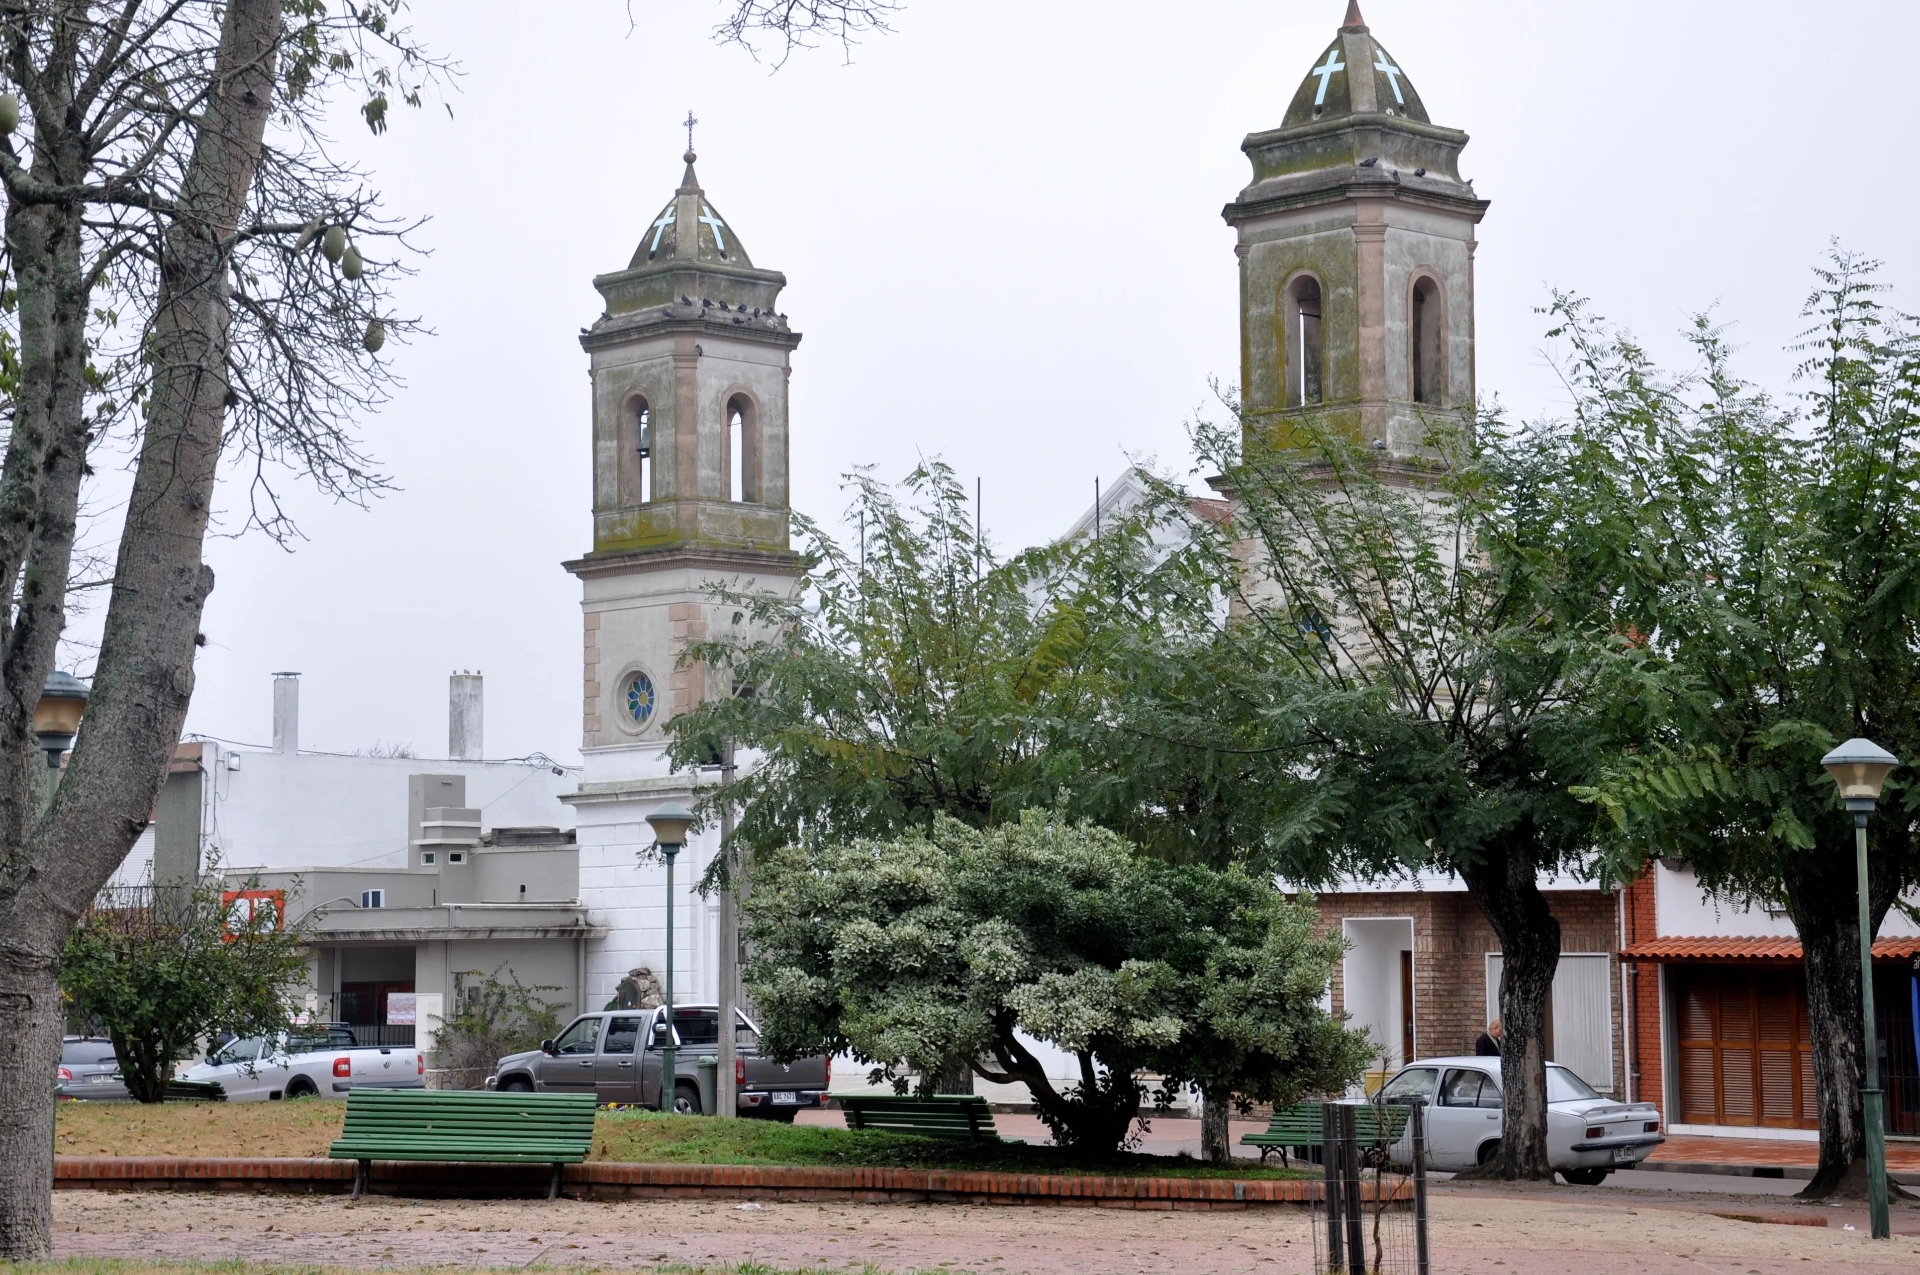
point(185, 266)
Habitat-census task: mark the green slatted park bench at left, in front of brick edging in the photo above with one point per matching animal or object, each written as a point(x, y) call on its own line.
point(500, 1128)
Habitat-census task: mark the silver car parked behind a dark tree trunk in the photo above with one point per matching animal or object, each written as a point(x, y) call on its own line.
point(1589, 1136)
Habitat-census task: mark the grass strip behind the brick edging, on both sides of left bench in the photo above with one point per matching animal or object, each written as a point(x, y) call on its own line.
point(310, 1126)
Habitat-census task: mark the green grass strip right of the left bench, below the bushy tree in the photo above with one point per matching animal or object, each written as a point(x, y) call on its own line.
point(650, 1138)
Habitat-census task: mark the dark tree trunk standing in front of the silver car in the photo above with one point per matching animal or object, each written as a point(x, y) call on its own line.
point(1506, 890)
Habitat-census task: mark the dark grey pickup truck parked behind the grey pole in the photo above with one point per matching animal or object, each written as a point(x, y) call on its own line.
point(617, 1057)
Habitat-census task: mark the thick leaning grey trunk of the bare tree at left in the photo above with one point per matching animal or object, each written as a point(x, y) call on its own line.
point(145, 675)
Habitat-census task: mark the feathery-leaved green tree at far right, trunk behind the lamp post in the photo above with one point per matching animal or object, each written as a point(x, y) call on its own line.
point(1769, 552)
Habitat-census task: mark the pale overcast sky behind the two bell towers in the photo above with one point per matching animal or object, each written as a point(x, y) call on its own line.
point(1003, 241)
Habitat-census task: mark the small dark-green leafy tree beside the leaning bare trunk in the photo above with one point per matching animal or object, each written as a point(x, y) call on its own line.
point(162, 969)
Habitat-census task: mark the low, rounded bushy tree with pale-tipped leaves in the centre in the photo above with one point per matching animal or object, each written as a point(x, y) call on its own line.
point(951, 942)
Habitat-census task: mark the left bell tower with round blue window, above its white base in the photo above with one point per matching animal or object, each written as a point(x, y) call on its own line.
point(690, 366)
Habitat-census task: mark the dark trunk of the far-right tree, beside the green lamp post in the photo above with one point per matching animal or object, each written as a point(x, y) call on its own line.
point(1823, 898)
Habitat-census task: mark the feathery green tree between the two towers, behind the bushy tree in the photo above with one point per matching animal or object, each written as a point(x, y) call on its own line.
point(917, 675)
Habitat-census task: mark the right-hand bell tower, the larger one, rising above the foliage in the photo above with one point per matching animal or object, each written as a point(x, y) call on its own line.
point(1356, 256)
